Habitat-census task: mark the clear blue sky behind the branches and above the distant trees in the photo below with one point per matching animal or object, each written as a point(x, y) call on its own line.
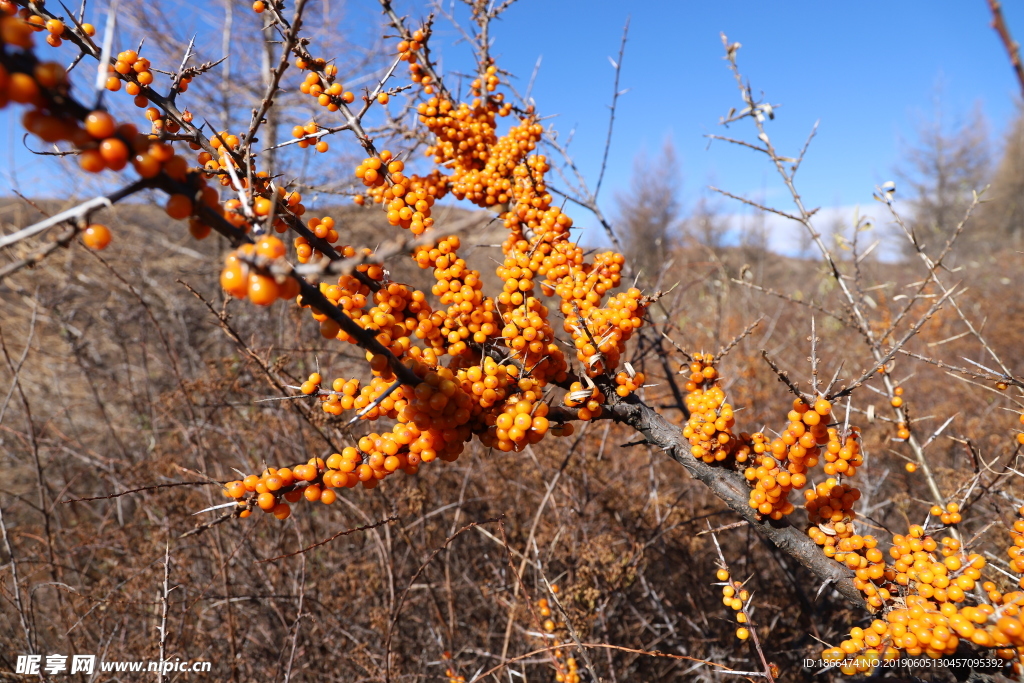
point(868, 71)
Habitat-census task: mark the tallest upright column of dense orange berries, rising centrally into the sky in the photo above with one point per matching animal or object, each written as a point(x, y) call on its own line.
point(495, 172)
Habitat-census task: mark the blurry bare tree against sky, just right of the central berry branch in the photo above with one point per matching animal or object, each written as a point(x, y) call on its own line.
point(650, 212)
